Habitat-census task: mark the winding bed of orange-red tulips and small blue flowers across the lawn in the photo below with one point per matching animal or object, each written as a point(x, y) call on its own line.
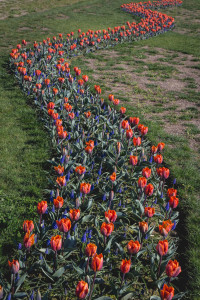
point(105, 231)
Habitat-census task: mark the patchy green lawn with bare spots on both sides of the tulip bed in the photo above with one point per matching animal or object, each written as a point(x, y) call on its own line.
point(161, 87)
